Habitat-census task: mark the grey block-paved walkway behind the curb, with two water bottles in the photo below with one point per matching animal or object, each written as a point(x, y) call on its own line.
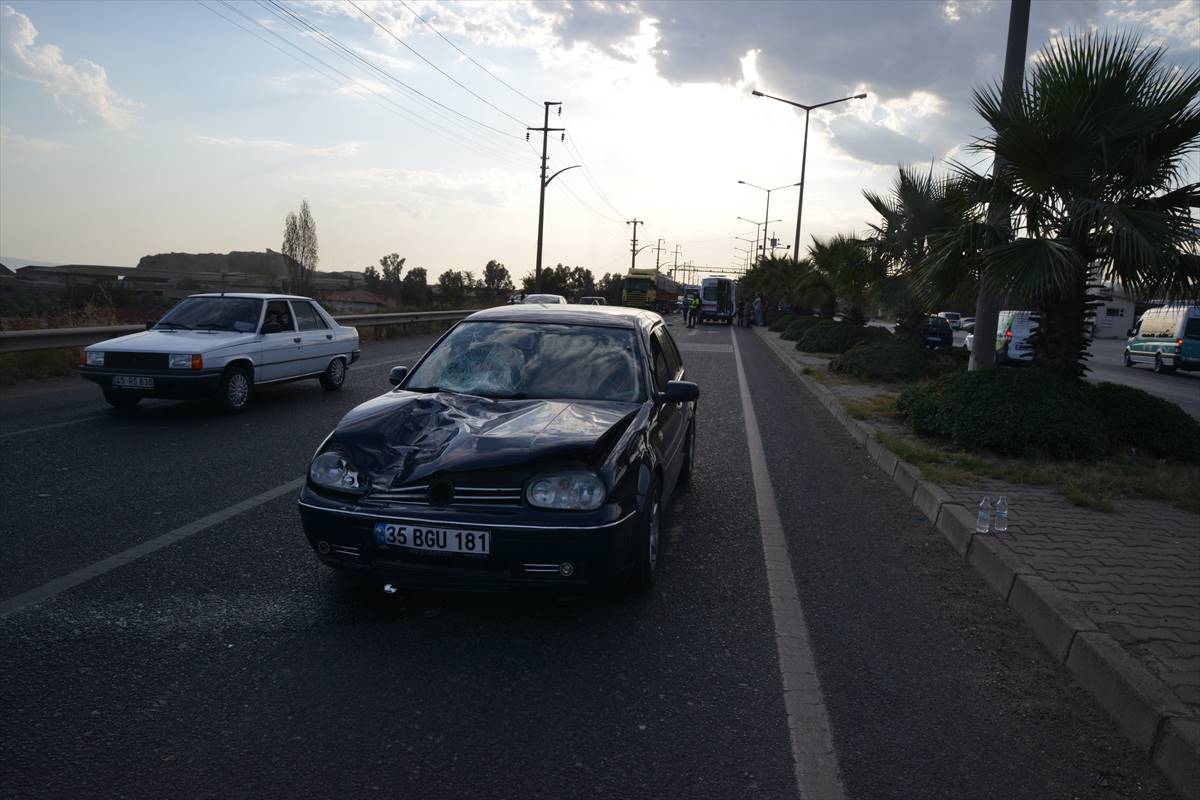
point(1136, 574)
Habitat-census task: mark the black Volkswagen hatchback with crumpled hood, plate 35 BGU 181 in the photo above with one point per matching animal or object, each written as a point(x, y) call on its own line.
point(530, 448)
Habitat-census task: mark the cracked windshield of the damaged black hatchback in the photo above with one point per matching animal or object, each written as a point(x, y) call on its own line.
point(527, 360)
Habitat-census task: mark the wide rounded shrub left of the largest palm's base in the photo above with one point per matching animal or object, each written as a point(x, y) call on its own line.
point(1009, 412)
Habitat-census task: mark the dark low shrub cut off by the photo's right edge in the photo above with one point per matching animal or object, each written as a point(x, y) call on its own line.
point(1148, 424)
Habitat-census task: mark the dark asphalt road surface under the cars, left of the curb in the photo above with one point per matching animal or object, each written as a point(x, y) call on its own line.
point(231, 665)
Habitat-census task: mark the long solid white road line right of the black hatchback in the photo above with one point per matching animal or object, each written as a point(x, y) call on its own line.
point(808, 723)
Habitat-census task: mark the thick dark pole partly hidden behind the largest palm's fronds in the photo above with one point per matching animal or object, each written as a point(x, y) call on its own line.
point(983, 350)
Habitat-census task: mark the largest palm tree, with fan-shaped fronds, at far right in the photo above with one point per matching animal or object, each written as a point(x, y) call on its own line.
point(1093, 155)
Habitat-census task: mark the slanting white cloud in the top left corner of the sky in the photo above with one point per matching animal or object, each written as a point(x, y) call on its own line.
point(82, 86)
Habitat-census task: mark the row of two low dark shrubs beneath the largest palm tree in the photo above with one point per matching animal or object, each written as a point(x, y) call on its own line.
point(1033, 413)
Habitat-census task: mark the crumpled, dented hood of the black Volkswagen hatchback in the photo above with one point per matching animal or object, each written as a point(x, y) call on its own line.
point(405, 437)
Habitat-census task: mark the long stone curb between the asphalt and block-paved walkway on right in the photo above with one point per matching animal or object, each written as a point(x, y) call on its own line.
point(1142, 706)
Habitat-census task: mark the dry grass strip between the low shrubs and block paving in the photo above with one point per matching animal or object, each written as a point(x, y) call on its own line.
point(1099, 485)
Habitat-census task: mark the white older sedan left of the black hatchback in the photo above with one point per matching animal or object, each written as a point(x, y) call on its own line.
point(223, 347)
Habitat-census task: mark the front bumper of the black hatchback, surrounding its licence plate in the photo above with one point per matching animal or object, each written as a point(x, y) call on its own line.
point(524, 557)
